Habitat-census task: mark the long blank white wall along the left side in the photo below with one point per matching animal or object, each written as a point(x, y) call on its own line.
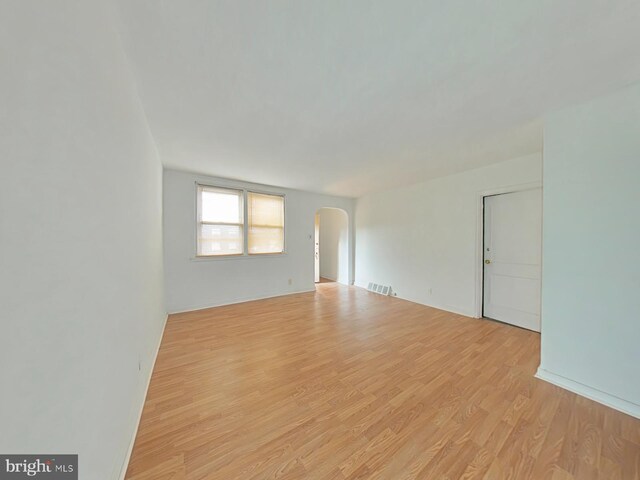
point(80, 237)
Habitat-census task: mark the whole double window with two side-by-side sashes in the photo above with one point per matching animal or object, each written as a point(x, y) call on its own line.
point(221, 228)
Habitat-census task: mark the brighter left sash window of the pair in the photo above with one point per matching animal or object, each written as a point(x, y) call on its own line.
point(220, 221)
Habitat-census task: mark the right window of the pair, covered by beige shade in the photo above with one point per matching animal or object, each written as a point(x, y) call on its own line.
point(266, 223)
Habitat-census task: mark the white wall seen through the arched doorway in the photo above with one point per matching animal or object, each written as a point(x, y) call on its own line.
point(334, 245)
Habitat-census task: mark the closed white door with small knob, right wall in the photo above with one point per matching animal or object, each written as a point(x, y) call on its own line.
point(513, 258)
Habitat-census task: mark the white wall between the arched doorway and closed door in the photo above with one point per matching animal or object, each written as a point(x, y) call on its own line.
point(423, 239)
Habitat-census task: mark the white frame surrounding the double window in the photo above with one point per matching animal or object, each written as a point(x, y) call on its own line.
point(245, 226)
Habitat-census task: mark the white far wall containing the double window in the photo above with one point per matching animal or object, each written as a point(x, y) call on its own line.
point(193, 283)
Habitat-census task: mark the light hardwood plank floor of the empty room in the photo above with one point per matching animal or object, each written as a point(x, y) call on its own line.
point(343, 383)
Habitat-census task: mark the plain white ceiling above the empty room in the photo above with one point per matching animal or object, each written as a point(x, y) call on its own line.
point(349, 97)
